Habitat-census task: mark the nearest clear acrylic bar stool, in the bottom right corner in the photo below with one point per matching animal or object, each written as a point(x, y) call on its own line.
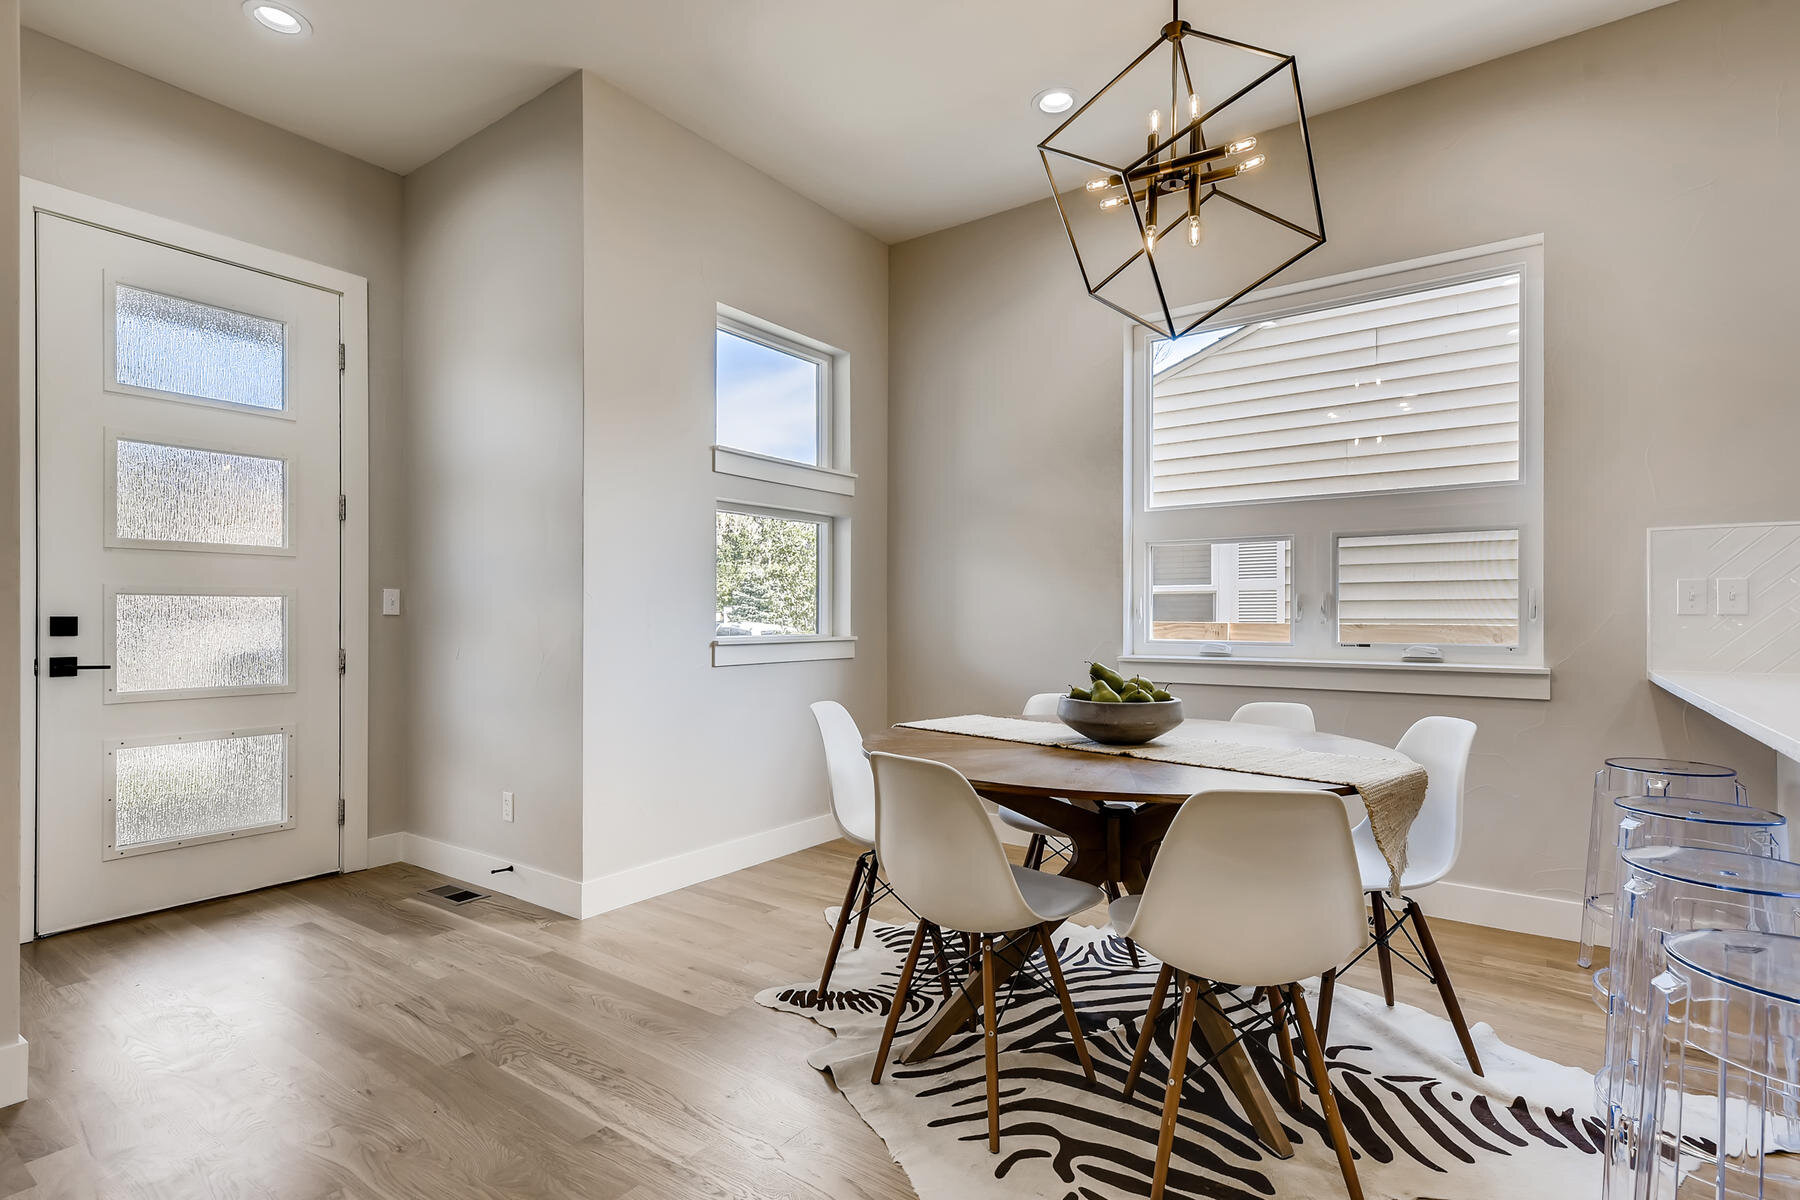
point(1720, 1113)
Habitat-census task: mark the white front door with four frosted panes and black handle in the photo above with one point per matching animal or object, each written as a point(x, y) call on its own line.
point(188, 577)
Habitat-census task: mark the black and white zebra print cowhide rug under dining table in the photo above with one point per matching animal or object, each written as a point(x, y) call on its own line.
point(1423, 1125)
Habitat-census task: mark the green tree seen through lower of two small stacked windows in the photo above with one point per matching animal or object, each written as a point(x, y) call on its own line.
point(769, 571)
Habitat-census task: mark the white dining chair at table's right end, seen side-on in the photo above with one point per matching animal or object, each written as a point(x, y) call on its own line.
point(1441, 746)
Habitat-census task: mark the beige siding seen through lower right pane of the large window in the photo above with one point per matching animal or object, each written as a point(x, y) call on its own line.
point(1457, 589)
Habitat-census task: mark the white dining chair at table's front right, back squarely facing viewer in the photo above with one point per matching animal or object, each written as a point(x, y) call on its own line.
point(1216, 913)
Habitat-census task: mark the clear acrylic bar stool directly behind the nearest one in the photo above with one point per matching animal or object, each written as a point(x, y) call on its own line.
point(1675, 890)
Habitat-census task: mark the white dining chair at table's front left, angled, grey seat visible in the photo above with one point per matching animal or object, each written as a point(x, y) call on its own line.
point(946, 861)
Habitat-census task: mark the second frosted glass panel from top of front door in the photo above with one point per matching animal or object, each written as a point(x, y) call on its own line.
point(204, 497)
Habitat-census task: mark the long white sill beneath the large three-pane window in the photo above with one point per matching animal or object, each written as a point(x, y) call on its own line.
point(1408, 679)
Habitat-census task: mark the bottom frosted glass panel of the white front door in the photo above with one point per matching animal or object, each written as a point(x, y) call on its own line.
point(179, 793)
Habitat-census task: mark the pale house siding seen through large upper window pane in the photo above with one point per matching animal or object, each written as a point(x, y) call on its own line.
point(1398, 393)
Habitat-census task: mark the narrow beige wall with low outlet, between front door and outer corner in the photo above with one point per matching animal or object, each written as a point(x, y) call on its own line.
point(494, 382)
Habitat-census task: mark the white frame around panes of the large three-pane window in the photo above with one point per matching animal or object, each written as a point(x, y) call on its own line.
point(1315, 524)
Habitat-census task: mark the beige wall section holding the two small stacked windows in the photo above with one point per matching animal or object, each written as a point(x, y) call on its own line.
point(681, 755)
